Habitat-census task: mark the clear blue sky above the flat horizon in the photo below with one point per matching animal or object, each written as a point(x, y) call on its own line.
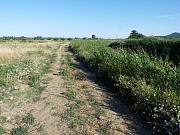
point(82, 18)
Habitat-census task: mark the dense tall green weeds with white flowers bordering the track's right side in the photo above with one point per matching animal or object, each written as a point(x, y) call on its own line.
point(151, 85)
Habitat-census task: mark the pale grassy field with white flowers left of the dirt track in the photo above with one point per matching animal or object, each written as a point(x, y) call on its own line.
point(22, 65)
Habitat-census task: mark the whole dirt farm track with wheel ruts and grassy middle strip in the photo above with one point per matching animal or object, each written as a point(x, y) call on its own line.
point(74, 102)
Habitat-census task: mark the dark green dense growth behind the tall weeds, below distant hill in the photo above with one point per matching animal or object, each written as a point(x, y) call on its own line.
point(161, 48)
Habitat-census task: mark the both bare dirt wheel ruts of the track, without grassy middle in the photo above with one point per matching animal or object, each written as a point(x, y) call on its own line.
point(52, 104)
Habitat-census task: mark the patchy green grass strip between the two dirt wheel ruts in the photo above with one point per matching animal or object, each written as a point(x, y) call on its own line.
point(79, 116)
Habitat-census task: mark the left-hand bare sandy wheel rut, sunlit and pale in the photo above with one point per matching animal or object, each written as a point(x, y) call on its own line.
point(50, 103)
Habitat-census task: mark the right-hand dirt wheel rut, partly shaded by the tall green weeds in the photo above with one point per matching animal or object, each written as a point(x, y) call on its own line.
point(124, 122)
